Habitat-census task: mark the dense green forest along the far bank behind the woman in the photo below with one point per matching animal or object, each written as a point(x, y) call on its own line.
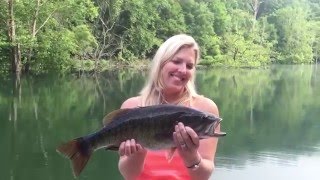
point(45, 35)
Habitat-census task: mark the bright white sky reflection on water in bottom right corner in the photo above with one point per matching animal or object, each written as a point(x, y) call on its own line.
point(274, 167)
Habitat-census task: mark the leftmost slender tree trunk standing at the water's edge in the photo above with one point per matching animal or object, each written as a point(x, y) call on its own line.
point(15, 56)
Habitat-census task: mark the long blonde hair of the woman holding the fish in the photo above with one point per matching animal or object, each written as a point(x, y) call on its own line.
point(151, 94)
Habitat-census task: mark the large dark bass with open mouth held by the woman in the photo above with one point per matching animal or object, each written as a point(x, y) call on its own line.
point(150, 126)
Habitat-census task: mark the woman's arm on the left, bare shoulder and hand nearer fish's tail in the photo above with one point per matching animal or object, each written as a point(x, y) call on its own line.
point(132, 155)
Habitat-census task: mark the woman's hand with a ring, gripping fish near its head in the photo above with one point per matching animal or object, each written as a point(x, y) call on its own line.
point(187, 142)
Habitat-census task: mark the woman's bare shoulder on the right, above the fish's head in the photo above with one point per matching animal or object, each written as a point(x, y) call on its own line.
point(205, 104)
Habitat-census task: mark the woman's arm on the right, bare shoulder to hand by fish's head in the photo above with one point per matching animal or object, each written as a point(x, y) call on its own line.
point(196, 151)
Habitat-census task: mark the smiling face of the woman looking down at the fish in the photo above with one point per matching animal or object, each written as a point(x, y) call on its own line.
point(177, 72)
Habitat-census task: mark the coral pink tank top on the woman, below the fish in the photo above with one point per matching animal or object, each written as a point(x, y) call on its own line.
point(157, 167)
